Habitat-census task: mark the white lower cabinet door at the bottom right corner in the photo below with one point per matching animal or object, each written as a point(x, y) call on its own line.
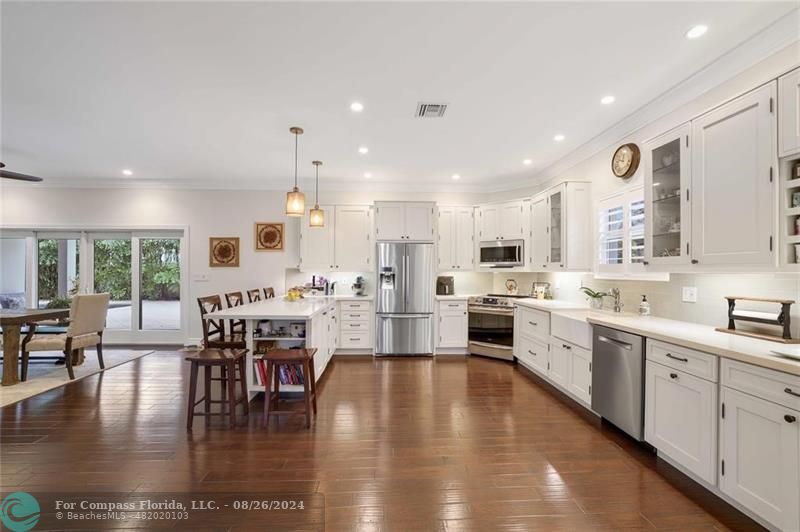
point(760, 451)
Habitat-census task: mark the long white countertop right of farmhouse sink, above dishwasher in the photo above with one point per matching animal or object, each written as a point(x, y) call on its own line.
point(694, 336)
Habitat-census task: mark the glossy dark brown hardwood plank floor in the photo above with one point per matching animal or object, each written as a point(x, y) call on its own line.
point(398, 444)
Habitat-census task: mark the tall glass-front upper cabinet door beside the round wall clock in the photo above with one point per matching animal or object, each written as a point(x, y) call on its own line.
point(667, 209)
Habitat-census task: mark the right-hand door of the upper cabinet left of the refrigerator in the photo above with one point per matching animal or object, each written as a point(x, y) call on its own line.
point(353, 249)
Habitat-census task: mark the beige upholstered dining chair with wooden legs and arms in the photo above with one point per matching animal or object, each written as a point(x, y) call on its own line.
point(87, 320)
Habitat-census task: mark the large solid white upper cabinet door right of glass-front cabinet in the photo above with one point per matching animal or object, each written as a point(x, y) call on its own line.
point(733, 151)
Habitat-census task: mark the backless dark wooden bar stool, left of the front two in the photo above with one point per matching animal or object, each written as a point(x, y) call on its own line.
point(229, 361)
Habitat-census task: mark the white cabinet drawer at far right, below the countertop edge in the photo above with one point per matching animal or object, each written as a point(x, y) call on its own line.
point(775, 386)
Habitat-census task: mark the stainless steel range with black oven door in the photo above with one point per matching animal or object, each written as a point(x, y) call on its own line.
point(491, 326)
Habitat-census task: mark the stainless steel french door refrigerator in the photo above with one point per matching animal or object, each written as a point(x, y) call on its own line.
point(404, 304)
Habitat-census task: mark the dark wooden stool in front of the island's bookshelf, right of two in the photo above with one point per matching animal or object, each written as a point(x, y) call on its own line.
point(281, 357)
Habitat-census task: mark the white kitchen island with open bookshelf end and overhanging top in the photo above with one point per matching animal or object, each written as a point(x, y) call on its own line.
point(308, 322)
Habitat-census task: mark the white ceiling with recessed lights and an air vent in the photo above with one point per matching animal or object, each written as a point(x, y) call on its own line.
point(203, 94)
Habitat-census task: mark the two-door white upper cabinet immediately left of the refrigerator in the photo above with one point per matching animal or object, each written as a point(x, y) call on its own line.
point(343, 244)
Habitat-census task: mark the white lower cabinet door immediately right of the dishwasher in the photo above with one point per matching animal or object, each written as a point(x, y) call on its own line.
point(680, 418)
